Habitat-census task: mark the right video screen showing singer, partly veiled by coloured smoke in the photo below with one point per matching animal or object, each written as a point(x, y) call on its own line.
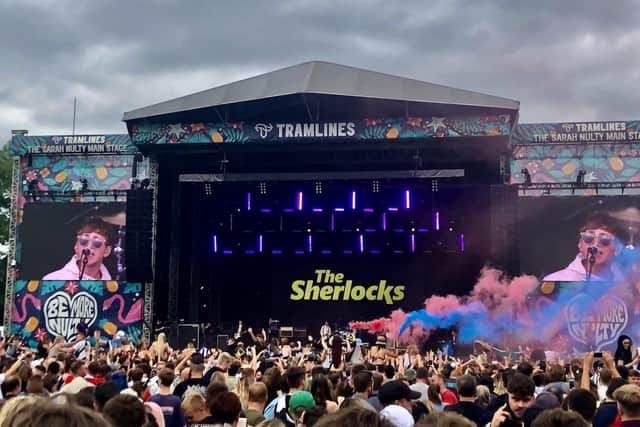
point(575, 239)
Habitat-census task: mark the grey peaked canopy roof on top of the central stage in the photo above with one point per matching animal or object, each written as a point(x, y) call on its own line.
point(324, 78)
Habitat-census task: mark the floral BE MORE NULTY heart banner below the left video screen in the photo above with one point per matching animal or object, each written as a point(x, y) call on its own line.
point(56, 307)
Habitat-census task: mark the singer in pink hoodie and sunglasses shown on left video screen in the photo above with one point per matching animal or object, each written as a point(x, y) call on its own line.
point(91, 247)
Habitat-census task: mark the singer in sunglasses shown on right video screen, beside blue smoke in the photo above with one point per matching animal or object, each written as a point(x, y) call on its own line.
point(598, 245)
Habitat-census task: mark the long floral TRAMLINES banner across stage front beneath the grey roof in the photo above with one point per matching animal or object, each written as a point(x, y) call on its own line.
point(368, 129)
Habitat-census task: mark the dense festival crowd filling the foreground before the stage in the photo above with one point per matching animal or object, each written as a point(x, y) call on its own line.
point(257, 380)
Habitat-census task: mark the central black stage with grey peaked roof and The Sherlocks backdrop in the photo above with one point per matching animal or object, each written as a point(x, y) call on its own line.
point(239, 224)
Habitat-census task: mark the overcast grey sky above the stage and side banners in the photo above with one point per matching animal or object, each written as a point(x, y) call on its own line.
point(574, 60)
